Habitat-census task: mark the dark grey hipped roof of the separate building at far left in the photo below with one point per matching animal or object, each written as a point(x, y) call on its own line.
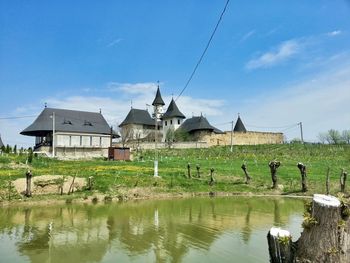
point(67, 121)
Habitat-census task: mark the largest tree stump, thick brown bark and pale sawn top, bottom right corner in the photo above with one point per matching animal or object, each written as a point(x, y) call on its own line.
point(327, 238)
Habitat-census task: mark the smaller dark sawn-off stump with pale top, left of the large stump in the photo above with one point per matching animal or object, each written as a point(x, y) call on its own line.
point(280, 245)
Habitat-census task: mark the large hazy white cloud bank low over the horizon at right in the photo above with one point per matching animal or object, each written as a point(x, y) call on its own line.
point(320, 102)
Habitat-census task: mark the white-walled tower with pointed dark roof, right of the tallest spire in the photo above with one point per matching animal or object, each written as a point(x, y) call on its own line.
point(172, 118)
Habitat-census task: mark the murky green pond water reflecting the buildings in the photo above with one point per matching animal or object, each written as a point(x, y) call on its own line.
point(188, 230)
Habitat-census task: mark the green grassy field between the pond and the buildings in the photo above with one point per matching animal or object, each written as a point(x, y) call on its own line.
point(112, 177)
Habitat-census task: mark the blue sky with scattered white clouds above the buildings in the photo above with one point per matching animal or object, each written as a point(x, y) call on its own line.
point(275, 62)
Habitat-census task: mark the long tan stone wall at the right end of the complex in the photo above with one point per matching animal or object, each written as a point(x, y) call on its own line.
point(244, 138)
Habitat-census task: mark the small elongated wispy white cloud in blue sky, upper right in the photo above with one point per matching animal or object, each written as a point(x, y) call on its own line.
point(283, 52)
